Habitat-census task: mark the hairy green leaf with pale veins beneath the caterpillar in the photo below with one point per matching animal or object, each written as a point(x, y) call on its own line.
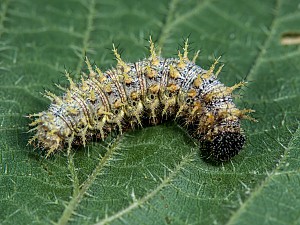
point(153, 175)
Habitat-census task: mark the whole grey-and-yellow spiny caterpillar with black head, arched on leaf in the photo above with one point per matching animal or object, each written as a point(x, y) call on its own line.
point(151, 91)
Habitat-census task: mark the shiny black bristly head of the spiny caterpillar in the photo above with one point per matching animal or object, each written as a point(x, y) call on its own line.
point(226, 145)
